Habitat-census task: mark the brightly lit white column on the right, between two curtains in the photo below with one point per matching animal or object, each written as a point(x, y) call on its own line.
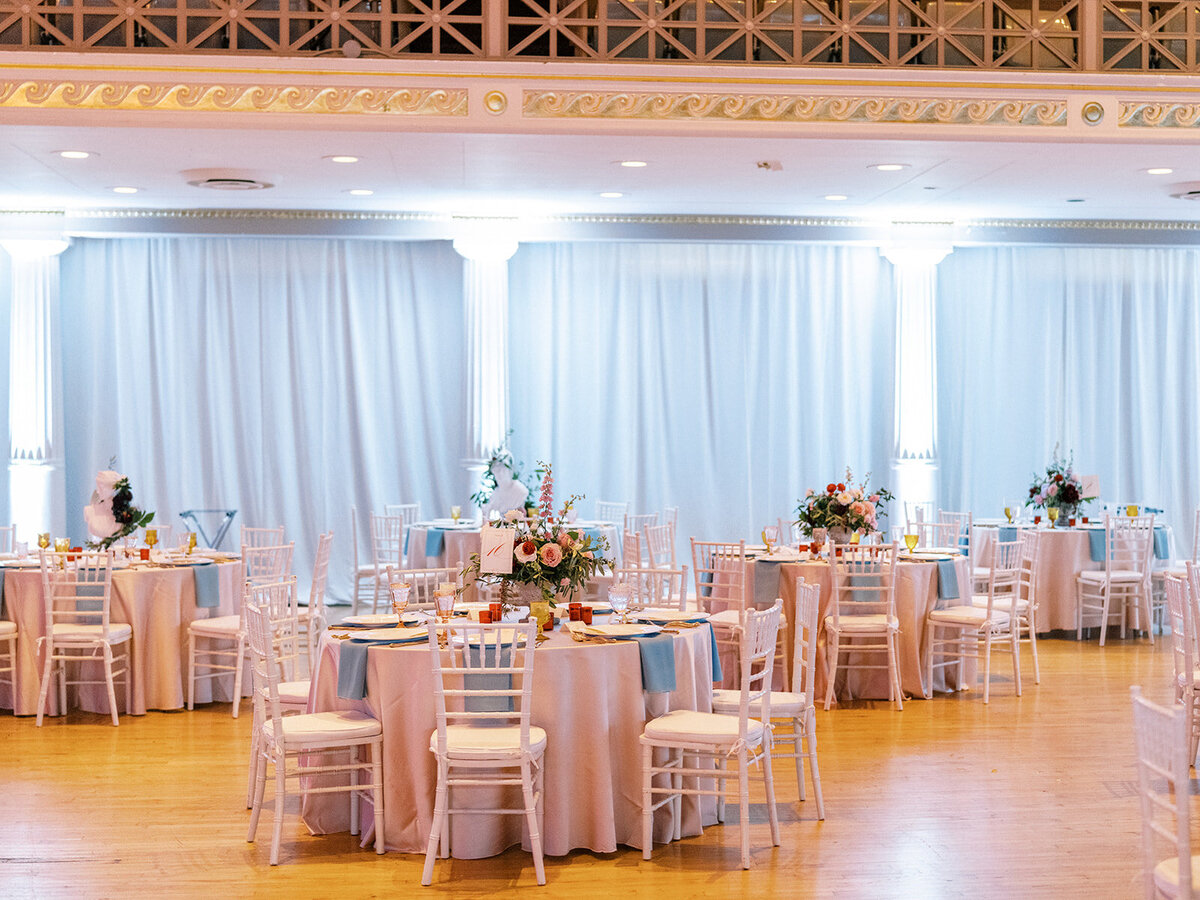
point(915, 455)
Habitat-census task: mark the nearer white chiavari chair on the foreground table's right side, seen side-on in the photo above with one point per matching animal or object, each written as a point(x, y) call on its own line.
point(719, 747)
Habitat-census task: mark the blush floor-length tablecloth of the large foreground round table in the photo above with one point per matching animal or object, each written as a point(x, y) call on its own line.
point(590, 700)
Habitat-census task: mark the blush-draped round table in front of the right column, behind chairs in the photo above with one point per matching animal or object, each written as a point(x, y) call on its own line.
point(917, 596)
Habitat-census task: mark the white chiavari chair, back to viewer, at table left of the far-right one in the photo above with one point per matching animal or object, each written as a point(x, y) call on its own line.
point(863, 609)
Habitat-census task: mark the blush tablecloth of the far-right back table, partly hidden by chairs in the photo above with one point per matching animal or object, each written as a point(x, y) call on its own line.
point(1063, 555)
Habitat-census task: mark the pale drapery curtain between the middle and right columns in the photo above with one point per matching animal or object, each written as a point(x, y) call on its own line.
point(721, 379)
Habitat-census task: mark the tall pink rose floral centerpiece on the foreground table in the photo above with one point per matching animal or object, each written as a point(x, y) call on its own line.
point(549, 556)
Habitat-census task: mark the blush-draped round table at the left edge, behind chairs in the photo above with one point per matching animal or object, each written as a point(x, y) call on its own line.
point(159, 603)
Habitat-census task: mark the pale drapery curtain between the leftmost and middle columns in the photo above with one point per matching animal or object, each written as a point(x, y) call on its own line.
point(287, 380)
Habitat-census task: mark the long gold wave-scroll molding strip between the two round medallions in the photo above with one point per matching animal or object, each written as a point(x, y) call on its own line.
point(784, 109)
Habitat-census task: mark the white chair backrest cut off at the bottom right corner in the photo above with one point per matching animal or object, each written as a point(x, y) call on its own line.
point(1161, 735)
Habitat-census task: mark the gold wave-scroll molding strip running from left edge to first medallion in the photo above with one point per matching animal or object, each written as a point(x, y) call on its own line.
point(231, 98)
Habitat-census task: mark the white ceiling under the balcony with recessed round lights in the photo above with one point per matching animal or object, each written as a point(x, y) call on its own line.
point(565, 175)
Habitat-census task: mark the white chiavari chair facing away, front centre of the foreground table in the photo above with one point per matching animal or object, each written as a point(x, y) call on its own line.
point(483, 688)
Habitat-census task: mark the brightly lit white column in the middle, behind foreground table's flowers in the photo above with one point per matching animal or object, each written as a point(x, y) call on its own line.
point(485, 275)
